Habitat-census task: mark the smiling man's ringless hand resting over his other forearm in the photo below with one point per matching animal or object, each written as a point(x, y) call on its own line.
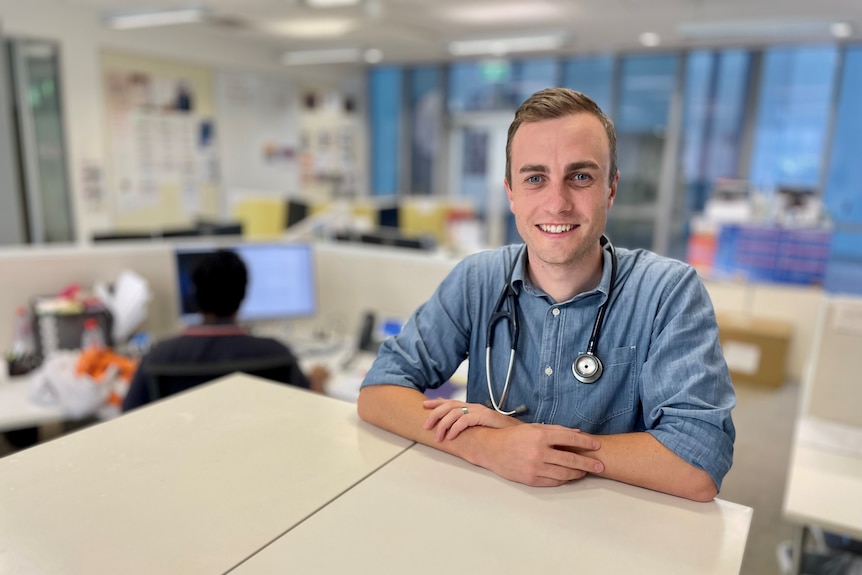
point(538, 455)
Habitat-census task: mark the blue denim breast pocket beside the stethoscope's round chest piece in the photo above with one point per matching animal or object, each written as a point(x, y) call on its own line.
point(614, 393)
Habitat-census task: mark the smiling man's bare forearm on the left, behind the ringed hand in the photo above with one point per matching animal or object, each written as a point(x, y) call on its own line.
point(399, 410)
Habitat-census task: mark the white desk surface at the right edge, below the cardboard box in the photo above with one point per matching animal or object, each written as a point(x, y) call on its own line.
point(824, 488)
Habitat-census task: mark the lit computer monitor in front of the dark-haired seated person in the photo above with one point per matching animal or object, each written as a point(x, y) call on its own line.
point(281, 281)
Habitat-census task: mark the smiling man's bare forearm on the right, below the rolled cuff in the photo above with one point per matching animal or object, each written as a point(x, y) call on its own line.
point(640, 459)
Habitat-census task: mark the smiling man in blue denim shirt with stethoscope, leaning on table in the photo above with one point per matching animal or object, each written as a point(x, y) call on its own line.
point(639, 326)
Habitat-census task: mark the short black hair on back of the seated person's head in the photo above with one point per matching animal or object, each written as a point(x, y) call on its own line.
point(219, 281)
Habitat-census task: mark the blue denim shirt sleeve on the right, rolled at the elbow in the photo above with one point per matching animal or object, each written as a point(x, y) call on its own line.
point(685, 385)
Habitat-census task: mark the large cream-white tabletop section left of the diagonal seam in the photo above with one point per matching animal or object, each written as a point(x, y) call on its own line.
point(192, 484)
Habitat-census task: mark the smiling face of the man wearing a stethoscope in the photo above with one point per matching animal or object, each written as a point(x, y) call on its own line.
point(560, 193)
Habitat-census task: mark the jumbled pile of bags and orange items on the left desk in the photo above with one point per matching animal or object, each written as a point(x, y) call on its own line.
point(75, 348)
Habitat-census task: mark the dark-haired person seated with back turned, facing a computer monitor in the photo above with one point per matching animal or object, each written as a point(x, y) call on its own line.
point(220, 282)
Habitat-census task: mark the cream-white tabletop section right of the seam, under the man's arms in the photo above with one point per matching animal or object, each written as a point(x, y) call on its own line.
point(429, 512)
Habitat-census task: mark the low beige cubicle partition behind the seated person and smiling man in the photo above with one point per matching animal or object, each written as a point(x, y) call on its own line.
point(351, 280)
